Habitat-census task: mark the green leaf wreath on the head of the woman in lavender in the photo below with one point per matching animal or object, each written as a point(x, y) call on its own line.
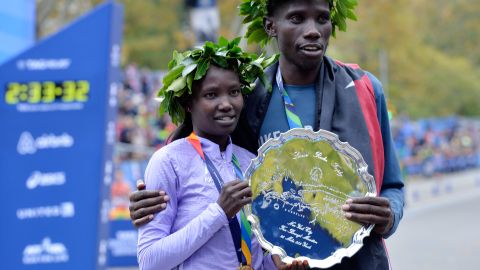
point(192, 65)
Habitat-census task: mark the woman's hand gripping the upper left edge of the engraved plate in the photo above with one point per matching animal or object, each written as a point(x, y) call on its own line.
point(234, 196)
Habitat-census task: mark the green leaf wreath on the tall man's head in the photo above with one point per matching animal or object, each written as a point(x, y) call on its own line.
point(254, 11)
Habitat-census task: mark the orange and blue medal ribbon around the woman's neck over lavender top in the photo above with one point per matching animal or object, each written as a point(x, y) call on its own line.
point(244, 247)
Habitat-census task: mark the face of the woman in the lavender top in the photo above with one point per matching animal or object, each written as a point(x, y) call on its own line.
point(216, 104)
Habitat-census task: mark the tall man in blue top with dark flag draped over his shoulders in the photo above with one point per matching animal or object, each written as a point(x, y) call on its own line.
point(328, 95)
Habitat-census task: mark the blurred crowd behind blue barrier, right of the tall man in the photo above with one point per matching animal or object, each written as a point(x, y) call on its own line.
point(439, 145)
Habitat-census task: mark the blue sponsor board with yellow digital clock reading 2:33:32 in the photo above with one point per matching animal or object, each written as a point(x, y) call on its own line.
point(57, 112)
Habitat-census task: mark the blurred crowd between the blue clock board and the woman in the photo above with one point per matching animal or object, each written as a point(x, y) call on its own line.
point(139, 132)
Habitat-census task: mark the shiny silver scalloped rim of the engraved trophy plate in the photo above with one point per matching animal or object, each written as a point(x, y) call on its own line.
point(362, 172)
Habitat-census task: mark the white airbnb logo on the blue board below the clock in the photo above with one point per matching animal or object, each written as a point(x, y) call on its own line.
point(29, 145)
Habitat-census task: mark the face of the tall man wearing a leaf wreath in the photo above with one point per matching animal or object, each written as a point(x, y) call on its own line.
point(302, 29)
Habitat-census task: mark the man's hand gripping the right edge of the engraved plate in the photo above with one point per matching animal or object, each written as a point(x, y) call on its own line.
point(370, 210)
